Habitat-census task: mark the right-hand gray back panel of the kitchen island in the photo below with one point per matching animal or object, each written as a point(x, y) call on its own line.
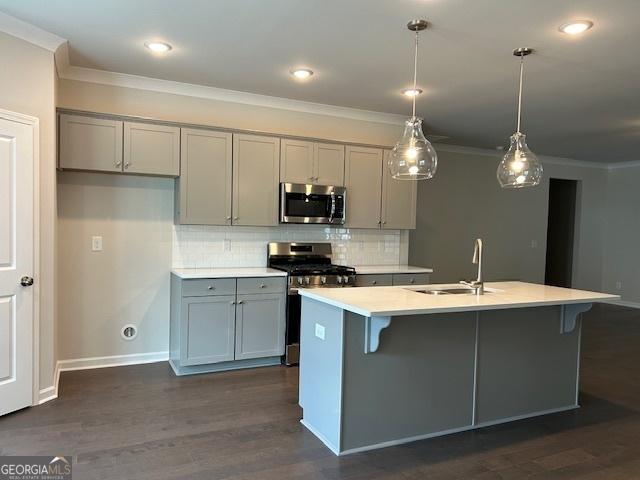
point(525, 365)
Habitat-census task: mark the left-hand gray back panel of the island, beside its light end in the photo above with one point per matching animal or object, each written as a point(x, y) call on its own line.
point(418, 383)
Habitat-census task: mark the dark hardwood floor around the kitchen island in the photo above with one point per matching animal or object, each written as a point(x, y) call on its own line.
point(142, 422)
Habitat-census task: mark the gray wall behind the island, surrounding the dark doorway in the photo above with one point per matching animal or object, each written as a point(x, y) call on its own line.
point(464, 201)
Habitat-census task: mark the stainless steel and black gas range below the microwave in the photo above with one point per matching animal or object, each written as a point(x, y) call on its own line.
point(308, 265)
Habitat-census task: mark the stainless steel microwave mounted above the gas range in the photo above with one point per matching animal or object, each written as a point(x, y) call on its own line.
point(300, 203)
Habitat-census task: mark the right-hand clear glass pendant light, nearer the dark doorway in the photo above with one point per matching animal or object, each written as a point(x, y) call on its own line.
point(519, 167)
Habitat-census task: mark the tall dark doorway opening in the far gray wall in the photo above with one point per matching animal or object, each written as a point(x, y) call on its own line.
point(561, 232)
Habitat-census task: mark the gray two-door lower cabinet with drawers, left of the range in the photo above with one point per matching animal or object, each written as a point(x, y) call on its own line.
point(226, 323)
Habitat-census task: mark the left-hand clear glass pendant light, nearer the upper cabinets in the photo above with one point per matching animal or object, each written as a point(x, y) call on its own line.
point(413, 157)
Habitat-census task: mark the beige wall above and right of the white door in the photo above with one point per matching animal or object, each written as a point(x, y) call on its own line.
point(27, 85)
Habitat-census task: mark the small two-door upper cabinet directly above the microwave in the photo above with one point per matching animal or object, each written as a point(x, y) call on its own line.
point(309, 162)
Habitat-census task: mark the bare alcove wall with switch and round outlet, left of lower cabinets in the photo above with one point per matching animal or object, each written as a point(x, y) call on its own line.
point(127, 282)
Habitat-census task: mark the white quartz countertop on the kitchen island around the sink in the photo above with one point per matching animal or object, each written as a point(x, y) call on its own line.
point(391, 301)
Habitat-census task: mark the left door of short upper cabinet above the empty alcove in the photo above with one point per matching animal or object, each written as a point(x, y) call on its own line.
point(88, 143)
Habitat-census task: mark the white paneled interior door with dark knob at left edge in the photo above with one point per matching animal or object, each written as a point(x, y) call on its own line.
point(16, 262)
